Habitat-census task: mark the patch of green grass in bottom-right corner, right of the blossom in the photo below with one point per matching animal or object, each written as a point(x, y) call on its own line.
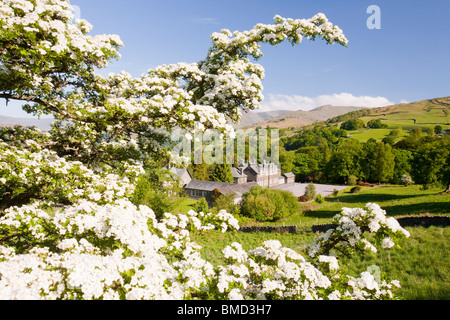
point(422, 264)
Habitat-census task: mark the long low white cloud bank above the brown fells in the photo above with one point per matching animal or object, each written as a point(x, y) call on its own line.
point(296, 102)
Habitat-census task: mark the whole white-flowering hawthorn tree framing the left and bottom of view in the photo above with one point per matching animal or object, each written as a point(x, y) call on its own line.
point(96, 243)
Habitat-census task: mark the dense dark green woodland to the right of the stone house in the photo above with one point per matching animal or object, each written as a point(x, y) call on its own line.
point(328, 155)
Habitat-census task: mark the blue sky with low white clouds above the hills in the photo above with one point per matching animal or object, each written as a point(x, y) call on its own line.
point(406, 60)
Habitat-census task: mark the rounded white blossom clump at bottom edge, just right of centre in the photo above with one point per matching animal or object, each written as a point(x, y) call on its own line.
point(270, 272)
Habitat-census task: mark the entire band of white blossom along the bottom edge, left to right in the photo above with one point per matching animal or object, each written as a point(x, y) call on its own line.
point(120, 251)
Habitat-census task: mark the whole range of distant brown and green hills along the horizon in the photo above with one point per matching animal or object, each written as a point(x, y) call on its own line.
point(425, 114)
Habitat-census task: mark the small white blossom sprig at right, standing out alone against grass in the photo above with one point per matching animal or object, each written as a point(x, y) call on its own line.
point(351, 225)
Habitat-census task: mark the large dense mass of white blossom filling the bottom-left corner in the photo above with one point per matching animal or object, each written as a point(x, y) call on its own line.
point(103, 251)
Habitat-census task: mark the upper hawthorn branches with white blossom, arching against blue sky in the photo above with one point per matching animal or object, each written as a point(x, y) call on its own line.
point(49, 61)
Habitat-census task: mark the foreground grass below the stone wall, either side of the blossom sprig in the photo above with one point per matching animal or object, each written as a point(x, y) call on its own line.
point(421, 264)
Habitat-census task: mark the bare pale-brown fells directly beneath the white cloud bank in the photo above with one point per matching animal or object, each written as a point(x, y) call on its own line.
point(296, 119)
